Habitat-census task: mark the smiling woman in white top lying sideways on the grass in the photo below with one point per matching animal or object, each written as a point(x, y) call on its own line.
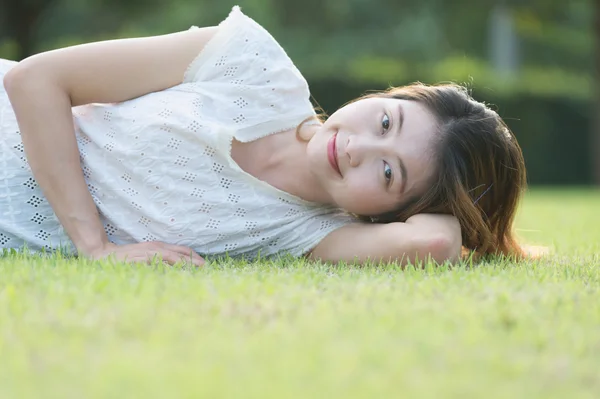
point(205, 142)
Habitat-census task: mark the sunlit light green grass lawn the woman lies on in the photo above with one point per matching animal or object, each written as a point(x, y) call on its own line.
point(496, 330)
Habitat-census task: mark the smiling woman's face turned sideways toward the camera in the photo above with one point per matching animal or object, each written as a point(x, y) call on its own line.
point(373, 154)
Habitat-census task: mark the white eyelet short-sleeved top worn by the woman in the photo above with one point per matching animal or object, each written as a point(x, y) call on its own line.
point(159, 166)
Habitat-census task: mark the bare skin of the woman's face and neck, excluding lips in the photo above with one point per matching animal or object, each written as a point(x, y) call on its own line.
point(374, 136)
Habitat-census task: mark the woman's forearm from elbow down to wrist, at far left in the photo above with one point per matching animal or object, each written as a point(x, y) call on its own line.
point(43, 111)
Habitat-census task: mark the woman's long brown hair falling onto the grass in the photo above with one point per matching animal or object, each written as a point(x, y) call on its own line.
point(479, 173)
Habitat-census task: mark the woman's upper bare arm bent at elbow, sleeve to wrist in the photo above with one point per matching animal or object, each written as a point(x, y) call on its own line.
point(43, 88)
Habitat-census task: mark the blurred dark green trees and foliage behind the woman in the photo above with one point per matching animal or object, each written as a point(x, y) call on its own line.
point(534, 61)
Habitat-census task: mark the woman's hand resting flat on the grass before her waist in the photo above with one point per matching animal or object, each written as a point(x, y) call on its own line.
point(146, 251)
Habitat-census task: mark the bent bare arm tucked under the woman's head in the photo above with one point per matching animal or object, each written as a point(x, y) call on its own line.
point(419, 237)
